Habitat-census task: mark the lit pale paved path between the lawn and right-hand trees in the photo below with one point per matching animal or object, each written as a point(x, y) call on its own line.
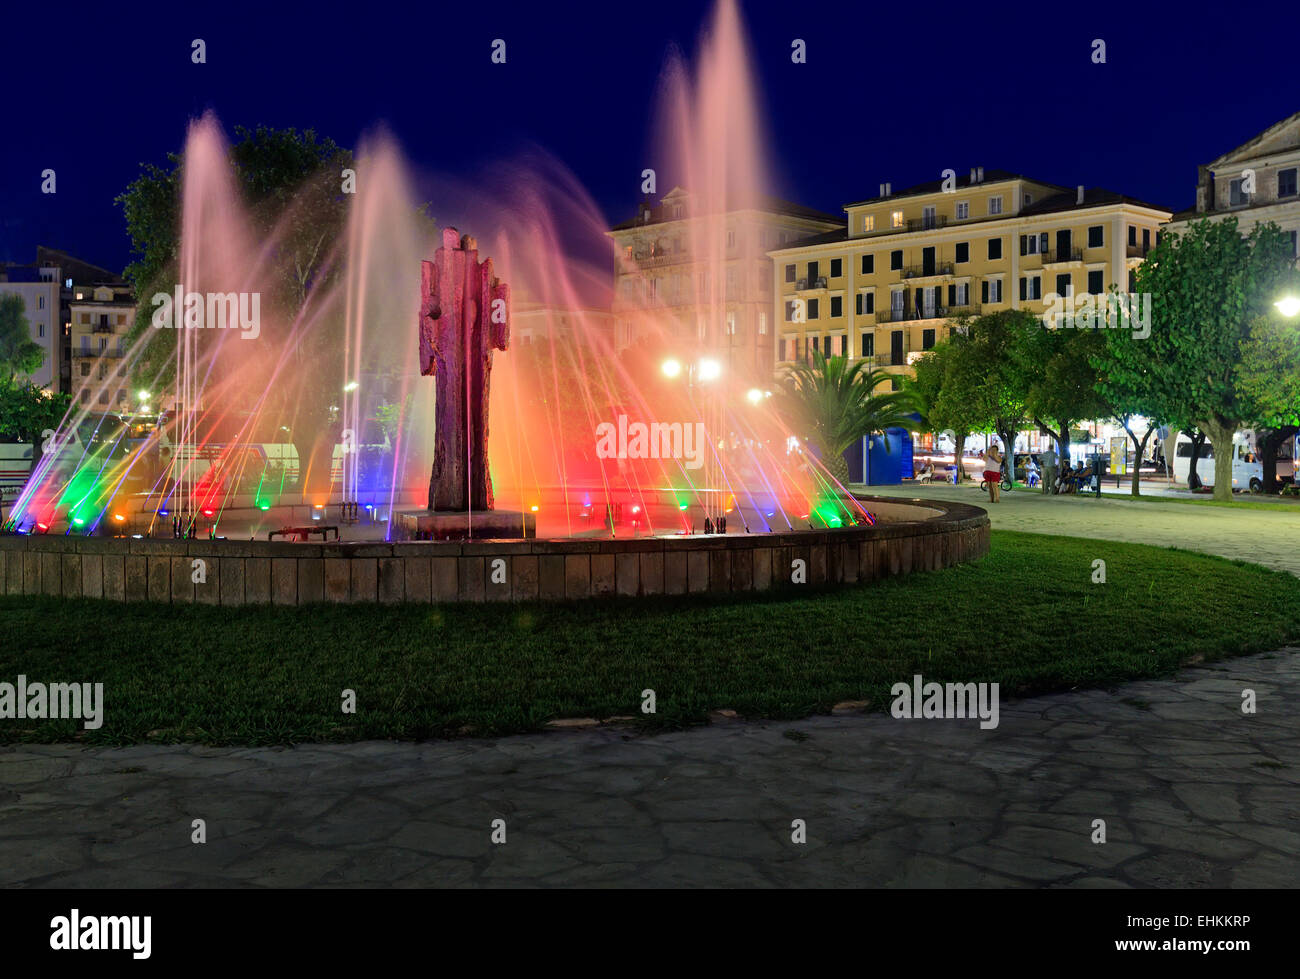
point(1269, 538)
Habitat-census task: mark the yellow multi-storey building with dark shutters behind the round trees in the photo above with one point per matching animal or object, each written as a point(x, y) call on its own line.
point(890, 281)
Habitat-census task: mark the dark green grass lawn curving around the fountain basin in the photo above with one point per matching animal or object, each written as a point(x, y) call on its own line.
point(275, 675)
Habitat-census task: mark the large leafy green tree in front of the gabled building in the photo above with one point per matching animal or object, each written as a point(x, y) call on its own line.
point(1206, 288)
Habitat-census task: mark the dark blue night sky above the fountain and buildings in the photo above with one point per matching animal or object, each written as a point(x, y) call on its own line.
point(890, 93)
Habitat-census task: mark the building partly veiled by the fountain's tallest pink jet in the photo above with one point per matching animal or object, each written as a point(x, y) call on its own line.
point(707, 278)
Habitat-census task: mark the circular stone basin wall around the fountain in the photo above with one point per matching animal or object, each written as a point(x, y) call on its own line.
point(908, 536)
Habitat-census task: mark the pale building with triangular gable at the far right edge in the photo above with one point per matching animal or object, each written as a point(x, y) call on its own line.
point(1256, 183)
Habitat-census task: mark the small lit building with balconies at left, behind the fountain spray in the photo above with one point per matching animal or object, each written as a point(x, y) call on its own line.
point(102, 318)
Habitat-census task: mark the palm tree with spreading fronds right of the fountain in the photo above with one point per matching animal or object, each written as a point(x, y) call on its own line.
point(833, 405)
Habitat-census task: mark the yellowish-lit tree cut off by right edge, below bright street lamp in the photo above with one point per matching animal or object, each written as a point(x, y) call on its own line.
point(1269, 378)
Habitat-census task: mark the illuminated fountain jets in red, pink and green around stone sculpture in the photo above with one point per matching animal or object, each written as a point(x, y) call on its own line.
point(318, 424)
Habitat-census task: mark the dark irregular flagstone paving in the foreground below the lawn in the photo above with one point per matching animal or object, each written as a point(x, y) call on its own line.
point(1194, 795)
